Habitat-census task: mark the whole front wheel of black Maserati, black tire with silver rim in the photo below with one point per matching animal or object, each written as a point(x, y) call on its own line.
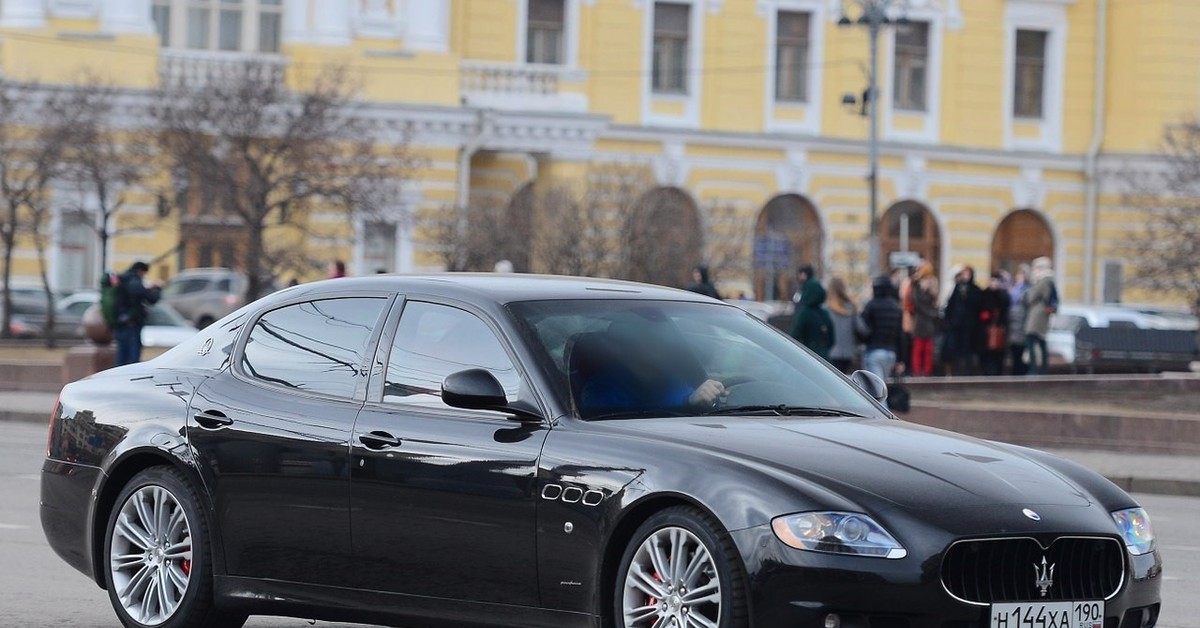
point(706, 590)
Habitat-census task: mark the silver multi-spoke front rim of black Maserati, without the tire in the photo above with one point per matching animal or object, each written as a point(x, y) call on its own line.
point(673, 583)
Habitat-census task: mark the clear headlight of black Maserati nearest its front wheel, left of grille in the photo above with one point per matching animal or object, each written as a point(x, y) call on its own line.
point(837, 534)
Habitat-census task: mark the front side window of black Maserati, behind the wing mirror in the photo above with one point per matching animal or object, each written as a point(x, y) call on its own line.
point(435, 342)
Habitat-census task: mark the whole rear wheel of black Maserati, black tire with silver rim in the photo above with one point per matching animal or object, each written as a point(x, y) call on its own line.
point(158, 559)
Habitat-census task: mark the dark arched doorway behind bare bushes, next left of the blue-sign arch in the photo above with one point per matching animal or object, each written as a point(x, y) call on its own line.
point(664, 238)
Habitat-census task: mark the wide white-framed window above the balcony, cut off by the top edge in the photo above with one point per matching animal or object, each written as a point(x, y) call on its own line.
point(230, 26)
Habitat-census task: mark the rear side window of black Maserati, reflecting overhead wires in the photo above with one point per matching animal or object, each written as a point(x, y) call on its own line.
point(315, 346)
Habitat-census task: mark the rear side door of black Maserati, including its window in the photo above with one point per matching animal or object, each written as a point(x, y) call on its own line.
point(272, 436)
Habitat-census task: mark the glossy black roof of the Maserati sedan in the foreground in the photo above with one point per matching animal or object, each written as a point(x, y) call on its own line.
point(503, 288)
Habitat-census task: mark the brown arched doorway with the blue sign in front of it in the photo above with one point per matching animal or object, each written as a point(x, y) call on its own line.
point(788, 236)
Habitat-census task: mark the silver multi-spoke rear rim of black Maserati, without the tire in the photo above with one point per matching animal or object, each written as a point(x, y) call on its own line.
point(151, 555)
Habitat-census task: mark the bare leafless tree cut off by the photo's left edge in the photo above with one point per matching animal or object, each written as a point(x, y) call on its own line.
point(35, 129)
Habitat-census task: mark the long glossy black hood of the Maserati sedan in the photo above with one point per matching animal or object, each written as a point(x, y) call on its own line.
point(883, 463)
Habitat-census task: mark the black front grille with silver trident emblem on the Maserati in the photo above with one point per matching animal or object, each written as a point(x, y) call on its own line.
point(985, 572)
